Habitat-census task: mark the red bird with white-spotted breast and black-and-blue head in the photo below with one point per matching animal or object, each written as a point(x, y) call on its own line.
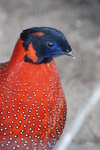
point(33, 106)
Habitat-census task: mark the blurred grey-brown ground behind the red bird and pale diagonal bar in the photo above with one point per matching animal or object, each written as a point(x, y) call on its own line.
point(79, 20)
